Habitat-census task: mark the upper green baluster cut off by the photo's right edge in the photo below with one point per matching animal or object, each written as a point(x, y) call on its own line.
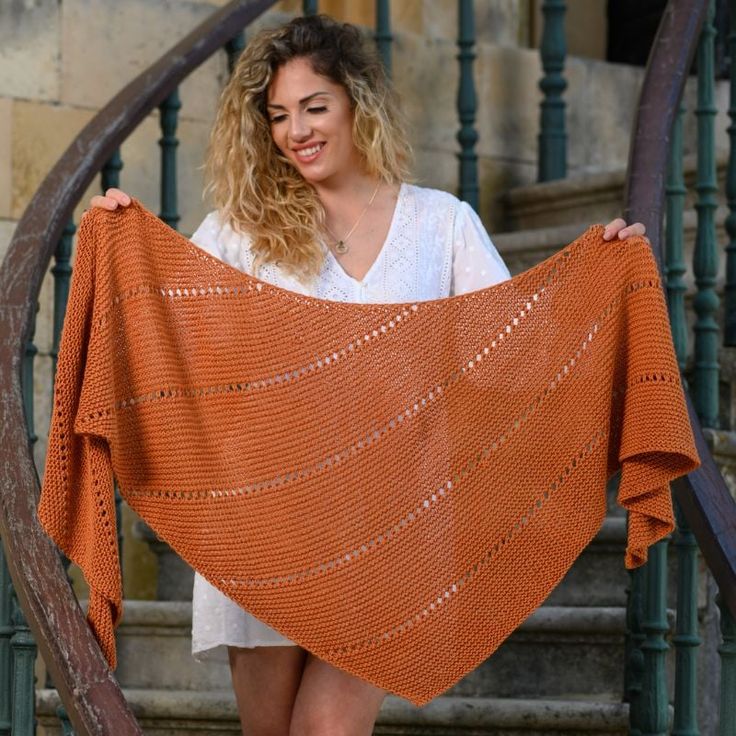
point(729, 330)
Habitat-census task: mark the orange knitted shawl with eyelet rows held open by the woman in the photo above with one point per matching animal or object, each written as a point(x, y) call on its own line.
point(394, 487)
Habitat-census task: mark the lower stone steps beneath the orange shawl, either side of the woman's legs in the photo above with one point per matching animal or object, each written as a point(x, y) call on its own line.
point(561, 672)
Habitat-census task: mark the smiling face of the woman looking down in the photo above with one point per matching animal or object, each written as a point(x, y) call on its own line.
point(312, 122)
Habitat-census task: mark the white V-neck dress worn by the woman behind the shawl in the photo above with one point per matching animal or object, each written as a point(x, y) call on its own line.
point(436, 247)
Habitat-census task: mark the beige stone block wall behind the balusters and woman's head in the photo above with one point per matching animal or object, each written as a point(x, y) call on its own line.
point(61, 60)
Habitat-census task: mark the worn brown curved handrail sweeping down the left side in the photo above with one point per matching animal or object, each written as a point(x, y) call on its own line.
point(86, 685)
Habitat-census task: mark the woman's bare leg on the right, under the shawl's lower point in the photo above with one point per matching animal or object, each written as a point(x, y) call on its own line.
point(331, 702)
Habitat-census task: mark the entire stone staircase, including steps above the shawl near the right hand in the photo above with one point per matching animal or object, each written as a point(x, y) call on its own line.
point(560, 672)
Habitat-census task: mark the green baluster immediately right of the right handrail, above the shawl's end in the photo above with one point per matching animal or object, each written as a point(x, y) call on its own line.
point(674, 252)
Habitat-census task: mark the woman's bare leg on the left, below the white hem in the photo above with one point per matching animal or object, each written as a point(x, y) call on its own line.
point(266, 680)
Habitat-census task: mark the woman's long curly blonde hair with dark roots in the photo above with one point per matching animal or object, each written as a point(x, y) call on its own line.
point(256, 189)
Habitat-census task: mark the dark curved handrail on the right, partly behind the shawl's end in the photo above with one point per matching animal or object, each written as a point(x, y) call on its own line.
point(703, 495)
